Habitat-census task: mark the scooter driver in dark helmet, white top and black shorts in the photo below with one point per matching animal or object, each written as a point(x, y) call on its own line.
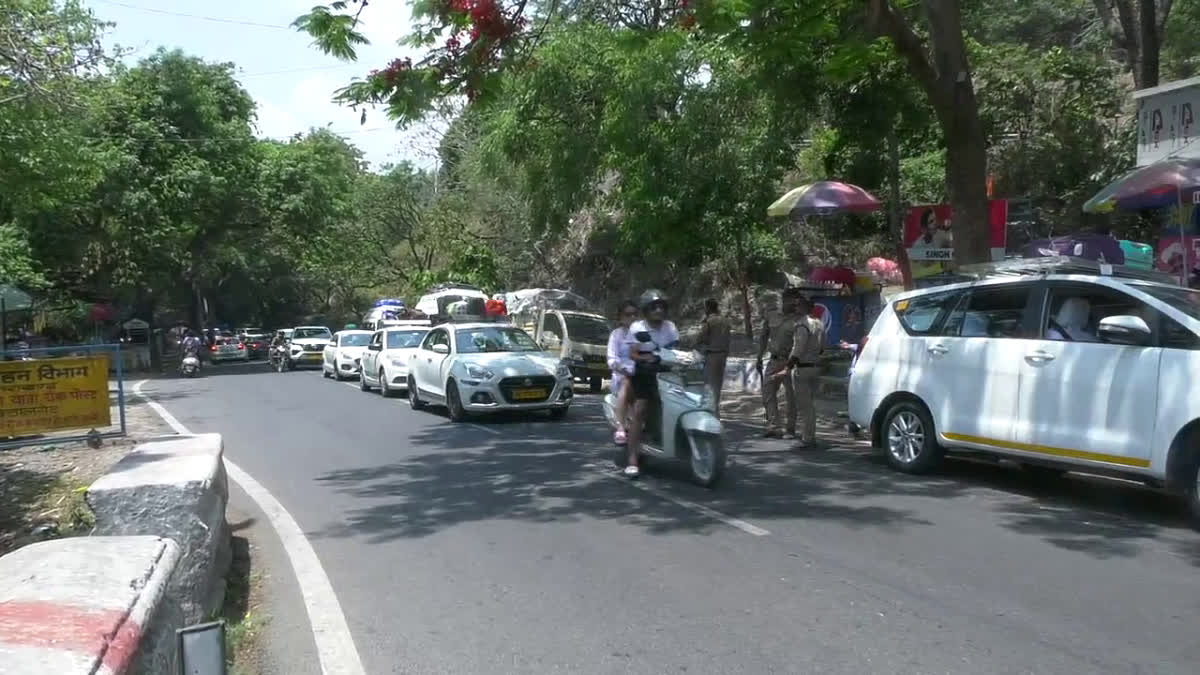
point(644, 385)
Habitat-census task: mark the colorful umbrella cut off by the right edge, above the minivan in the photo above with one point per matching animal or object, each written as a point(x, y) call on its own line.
point(1161, 184)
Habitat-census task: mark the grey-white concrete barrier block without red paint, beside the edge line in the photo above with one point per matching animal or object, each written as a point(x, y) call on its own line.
point(175, 487)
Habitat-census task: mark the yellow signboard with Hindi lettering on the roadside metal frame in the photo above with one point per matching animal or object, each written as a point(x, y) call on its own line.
point(52, 395)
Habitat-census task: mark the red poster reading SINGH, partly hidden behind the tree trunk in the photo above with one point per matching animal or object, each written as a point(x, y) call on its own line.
point(929, 237)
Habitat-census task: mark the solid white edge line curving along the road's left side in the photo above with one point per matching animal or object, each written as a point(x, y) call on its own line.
point(335, 644)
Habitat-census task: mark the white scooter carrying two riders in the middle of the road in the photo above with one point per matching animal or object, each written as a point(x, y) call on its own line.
point(682, 423)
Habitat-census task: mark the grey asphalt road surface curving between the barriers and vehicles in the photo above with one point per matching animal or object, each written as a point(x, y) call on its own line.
point(511, 547)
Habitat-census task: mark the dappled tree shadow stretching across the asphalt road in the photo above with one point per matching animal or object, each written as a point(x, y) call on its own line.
point(548, 473)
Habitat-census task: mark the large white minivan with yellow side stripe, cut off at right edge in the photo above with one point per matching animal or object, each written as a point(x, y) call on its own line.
point(1054, 366)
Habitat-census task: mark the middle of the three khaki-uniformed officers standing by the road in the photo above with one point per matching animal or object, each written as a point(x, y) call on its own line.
point(776, 341)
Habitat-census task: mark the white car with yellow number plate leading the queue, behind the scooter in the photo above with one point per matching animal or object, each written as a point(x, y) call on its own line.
point(479, 368)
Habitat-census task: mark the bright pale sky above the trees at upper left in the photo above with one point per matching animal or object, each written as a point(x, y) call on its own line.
point(292, 82)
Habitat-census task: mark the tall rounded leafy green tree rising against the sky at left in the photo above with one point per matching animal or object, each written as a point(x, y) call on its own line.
point(176, 158)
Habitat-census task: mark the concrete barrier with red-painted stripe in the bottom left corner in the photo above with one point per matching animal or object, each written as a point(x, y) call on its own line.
point(89, 606)
